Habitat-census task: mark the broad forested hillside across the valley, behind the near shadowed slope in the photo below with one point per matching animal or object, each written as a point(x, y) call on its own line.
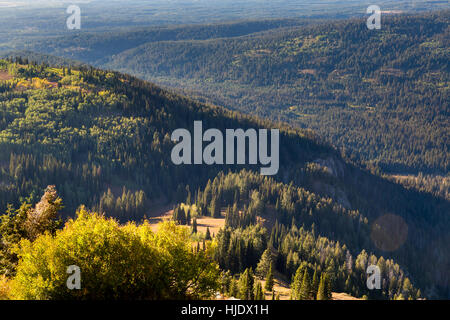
point(379, 95)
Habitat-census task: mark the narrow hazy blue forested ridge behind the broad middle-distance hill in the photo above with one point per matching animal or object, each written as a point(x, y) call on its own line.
point(97, 48)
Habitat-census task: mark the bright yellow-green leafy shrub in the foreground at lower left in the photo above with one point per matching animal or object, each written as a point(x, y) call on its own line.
point(116, 262)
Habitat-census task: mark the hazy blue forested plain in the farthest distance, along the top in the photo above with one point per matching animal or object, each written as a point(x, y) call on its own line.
point(22, 22)
